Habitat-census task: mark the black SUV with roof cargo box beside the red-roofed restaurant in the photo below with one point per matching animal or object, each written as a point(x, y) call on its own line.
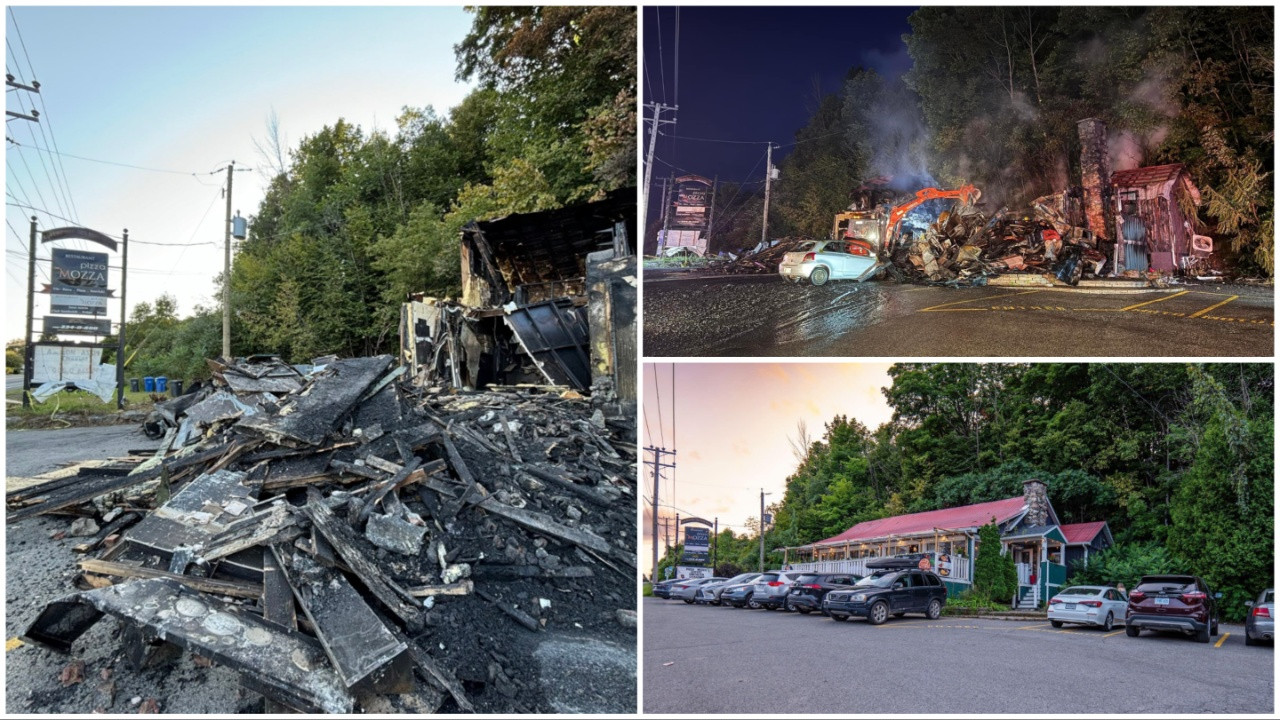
point(897, 587)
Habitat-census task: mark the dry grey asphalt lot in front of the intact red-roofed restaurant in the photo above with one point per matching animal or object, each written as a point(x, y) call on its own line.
point(703, 659)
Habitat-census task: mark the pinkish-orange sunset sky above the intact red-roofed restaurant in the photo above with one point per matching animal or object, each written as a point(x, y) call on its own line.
point(732, 426)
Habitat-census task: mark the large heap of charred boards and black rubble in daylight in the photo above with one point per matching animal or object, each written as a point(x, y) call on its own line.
point(344, 539)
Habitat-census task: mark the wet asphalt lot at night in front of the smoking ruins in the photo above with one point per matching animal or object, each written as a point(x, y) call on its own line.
point(764, 317)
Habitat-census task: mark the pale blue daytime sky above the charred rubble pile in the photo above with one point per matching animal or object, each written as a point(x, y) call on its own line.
point(188, 90)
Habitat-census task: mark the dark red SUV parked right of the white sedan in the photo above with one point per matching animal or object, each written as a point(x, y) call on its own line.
point(1173, 603)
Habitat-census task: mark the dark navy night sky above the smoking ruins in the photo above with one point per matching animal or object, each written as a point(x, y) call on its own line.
point(748, 75)
